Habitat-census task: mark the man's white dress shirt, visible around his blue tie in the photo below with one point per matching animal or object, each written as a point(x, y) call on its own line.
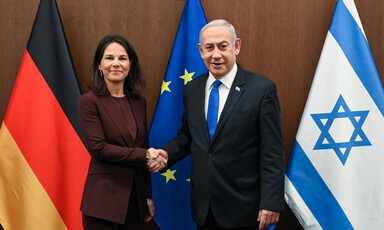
point(224, 88)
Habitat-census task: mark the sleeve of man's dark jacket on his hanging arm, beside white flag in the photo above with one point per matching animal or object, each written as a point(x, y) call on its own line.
point(272, 153)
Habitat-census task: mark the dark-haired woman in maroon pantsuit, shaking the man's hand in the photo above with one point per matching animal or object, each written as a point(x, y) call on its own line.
point(117, 192)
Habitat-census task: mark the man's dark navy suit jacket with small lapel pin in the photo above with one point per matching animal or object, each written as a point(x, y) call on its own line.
point(240, 171)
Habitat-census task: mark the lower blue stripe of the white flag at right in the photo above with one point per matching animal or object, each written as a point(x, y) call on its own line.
point(324, 206)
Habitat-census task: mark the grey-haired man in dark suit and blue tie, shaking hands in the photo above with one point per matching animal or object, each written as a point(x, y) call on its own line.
point(237, 166)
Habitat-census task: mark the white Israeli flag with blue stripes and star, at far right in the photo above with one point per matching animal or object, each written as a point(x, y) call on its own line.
point(334, 177)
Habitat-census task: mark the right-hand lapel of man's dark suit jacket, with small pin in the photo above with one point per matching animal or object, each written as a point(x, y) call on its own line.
point(237, 89)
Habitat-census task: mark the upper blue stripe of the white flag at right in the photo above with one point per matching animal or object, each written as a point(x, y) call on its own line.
point(343, 28)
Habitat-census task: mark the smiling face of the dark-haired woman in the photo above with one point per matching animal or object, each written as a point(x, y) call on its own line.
point(115, 64)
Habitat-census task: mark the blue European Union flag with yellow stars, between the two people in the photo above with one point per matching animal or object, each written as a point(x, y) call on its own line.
point(171, 189)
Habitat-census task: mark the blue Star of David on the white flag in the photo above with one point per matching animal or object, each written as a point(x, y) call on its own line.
point(325, 120)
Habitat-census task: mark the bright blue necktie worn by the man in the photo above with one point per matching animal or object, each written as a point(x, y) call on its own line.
point(213, 108)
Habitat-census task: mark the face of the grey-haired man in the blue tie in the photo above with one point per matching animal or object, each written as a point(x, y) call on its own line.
point(217, 50)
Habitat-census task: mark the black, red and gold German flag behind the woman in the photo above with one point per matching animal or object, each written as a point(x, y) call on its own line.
point(43, 160)
